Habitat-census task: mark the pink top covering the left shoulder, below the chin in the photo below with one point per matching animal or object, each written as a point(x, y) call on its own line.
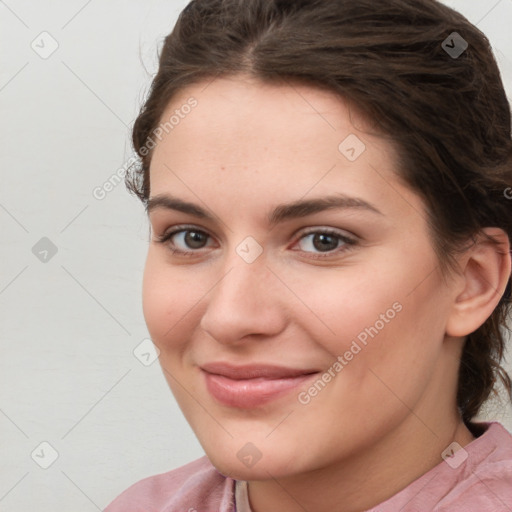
point(194, 487)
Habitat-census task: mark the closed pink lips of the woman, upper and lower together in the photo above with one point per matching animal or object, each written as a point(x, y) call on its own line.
point(252, 385)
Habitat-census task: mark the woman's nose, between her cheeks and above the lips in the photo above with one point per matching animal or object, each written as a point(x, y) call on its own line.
point(247, 301)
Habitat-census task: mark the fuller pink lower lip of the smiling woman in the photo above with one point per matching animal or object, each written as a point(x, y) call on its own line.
point(249, 393)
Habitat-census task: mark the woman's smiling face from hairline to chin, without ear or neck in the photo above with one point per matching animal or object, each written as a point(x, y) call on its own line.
point(291, 285)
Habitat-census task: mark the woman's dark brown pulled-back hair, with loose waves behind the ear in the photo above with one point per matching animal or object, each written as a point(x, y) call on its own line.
point(447, 115)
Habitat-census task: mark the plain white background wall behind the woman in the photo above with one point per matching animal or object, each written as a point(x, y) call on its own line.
point(68, 327)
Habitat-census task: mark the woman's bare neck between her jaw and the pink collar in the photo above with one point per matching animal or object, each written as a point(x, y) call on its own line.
point(363, 481)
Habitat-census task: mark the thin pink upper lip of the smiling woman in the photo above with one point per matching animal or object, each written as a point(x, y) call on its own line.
point(254, 371)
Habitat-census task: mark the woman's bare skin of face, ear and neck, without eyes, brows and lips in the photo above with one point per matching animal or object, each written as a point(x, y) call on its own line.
point(385, 419)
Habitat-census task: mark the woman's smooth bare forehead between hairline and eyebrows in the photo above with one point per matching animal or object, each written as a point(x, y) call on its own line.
point(244, 137)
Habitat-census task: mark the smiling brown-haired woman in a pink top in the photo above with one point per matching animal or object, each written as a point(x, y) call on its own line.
point(328, 275)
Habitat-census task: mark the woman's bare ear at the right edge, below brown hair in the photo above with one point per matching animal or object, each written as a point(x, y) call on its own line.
point(485, 272)
